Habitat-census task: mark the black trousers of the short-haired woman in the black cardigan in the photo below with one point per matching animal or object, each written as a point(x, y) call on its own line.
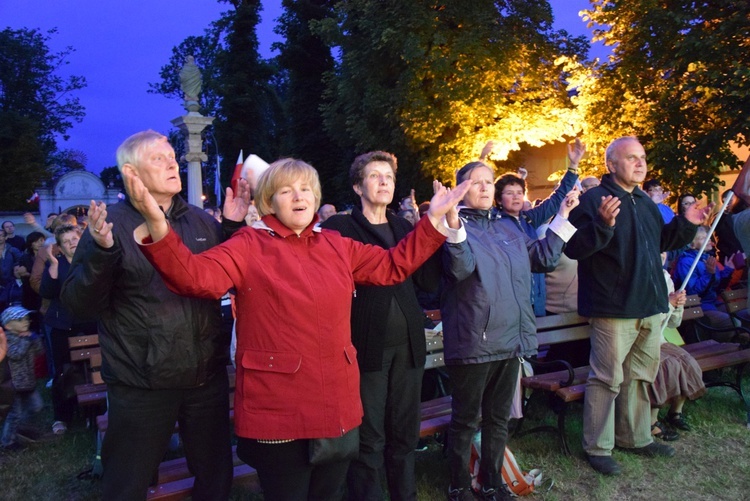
point(390, 429)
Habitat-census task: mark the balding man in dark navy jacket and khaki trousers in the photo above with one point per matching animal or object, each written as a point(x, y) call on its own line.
point(621, 287)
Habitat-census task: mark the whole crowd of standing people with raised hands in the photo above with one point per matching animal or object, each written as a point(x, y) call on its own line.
point(329, 308)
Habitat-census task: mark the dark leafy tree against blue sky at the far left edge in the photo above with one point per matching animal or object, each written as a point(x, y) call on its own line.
point(36, 106)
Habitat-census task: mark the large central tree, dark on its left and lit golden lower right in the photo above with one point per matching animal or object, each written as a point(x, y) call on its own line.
point(434, 82)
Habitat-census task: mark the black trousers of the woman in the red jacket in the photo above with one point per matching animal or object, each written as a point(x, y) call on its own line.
point(286, 474)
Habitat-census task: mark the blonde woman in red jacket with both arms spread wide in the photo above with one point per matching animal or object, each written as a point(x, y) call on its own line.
point(297, 373)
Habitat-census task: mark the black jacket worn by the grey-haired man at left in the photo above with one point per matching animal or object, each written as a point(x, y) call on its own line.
point(150, 337)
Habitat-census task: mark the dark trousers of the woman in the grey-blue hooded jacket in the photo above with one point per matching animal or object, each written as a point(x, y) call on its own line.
point(482, 398)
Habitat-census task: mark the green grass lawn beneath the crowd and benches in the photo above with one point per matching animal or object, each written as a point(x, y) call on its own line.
point(712, 462)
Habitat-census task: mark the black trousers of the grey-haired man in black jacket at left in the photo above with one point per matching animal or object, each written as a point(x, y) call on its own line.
point(141, 423)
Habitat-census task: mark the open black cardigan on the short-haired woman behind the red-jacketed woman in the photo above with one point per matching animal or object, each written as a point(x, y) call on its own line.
point(370, 306)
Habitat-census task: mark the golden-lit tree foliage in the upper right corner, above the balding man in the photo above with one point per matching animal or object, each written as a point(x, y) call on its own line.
point(679, 79)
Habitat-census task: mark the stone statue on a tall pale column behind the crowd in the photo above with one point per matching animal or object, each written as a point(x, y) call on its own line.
point(192, 125)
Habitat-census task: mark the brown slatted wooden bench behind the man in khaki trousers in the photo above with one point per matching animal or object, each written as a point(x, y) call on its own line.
point(569, 385)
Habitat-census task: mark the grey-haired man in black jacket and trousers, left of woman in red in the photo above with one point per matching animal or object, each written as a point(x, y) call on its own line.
point(164, 356)
